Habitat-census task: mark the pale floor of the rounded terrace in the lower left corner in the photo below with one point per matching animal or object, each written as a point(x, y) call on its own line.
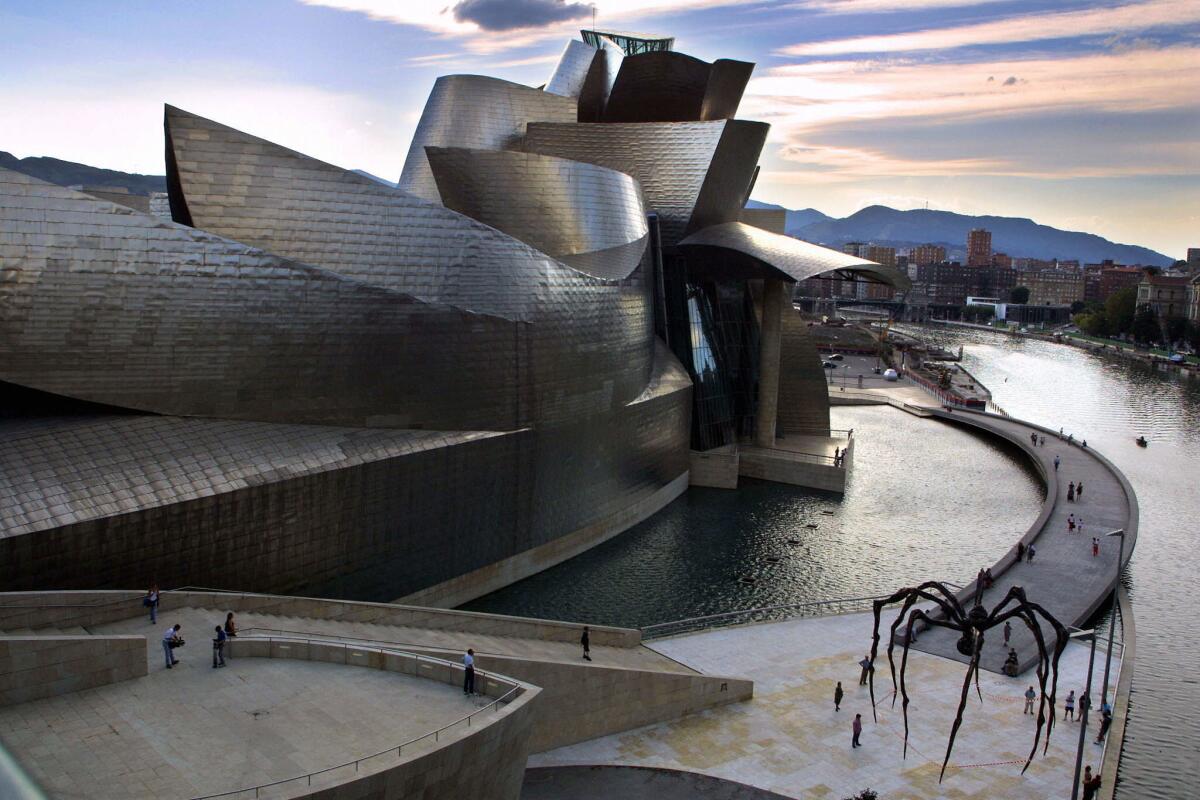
point(195, 731)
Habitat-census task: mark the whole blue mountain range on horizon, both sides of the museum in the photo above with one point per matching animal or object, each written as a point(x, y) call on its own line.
point(877, 225)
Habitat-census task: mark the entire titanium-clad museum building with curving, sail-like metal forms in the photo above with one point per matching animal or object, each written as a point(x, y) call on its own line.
point(309, 381)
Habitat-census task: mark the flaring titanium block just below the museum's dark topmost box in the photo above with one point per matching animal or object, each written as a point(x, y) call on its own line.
point(673, 161)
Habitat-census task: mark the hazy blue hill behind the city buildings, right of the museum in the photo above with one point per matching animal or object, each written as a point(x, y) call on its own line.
point(1013, 236)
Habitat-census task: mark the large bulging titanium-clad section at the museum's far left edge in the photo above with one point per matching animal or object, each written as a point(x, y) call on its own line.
point(107, 305)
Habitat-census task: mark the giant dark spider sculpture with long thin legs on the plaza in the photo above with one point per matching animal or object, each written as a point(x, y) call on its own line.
point(971, 625)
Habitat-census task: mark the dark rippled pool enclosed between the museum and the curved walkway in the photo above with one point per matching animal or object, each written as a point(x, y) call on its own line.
point(891, 530)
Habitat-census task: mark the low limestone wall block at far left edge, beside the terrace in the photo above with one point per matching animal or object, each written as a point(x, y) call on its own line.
point(34, 667)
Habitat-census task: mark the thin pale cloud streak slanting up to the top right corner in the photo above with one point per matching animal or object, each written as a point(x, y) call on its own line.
point(1027, 28)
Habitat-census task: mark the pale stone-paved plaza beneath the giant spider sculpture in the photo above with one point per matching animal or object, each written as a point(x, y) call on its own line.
point(789, 739)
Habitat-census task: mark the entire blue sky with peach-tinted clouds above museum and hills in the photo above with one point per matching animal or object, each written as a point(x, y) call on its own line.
point(1081, 116)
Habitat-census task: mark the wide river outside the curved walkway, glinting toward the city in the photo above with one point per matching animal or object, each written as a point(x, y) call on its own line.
point(1109, 402)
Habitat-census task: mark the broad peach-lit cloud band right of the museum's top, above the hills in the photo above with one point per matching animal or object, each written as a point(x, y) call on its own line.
point(835, 122)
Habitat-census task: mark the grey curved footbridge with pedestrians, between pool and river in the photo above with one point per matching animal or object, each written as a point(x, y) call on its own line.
point(1064, 578)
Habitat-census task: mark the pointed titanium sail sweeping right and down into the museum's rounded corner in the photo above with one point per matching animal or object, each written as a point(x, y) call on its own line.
point(589, 345)
